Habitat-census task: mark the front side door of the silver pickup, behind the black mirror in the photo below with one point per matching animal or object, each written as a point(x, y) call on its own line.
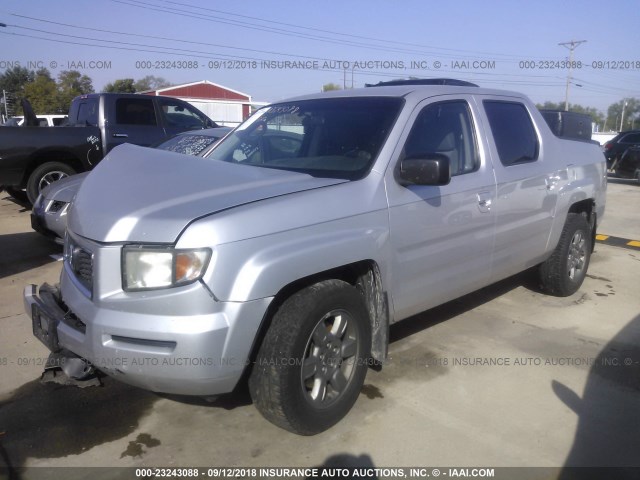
point(441, 236)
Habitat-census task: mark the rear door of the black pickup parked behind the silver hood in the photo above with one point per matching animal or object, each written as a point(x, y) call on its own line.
point(132, 120)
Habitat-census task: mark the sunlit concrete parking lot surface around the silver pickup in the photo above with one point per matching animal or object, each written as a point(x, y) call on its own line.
point(503, 377)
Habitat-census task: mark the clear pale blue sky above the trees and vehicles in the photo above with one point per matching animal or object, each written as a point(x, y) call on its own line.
point(276, 49)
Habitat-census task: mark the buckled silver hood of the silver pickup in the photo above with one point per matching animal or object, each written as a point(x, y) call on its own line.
point(139, 194)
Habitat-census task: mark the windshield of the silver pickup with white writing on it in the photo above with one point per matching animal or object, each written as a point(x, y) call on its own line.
point(330, 137)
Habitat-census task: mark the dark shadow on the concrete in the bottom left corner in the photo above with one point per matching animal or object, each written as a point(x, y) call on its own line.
point(53, 421)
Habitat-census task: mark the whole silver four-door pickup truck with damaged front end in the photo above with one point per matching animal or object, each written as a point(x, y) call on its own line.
point(285, 255)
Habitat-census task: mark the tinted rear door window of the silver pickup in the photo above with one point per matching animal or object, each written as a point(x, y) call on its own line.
point(513, 132)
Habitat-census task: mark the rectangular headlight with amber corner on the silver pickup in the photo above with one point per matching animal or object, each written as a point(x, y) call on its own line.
point(145, 268)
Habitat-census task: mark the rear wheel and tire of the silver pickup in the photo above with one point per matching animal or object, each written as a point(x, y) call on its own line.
point(562, 274)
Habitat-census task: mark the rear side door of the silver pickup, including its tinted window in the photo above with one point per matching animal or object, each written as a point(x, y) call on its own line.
point(528, 181)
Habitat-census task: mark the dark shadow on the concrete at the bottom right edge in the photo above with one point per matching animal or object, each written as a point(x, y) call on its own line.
point(608, 432)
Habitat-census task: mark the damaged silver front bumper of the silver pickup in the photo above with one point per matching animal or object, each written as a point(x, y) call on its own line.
point(190, 354)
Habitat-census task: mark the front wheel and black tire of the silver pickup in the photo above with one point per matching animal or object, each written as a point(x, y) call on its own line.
point(312, 363)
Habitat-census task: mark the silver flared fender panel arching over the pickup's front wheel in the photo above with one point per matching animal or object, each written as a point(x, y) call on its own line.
point(260, 267)
